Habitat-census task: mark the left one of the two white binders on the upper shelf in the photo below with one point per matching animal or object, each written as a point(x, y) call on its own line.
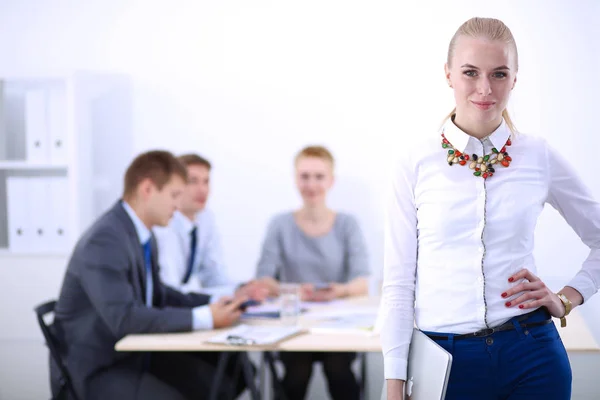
point(36, 126)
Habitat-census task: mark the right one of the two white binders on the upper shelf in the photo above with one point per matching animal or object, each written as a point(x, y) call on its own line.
point(57, 126)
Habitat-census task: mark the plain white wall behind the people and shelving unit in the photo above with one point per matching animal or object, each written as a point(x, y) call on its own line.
point(248, 83)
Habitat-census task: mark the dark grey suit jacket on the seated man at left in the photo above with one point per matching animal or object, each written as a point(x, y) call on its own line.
point(103, 299)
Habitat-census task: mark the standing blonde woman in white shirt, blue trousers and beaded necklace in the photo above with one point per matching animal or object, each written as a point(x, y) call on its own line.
point(459, 237)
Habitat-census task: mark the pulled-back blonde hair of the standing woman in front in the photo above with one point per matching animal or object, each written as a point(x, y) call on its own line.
point(491, 29)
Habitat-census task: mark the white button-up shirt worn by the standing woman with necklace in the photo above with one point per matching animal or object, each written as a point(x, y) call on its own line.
point(452, 239)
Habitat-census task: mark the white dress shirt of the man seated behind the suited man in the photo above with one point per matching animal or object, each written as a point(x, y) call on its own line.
point(208, 271)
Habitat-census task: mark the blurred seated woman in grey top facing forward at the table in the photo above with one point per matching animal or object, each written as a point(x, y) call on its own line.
point(324, 250)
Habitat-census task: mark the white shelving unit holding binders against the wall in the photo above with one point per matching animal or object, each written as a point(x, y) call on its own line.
point(59, 136)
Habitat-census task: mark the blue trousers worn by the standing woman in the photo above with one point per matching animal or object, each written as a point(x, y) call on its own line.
point(521, 364)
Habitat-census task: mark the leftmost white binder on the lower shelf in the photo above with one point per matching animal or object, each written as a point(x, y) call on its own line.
point(19, 233)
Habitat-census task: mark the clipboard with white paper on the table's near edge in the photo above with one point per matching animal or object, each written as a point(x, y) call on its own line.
point(254, 334)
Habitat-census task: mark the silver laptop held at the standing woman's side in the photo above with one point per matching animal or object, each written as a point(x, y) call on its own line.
point(428, 369)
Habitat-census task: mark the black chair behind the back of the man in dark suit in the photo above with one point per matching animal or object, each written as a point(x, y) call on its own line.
point(66, 391)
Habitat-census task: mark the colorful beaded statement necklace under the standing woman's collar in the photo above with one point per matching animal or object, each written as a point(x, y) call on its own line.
point(483, 166)
